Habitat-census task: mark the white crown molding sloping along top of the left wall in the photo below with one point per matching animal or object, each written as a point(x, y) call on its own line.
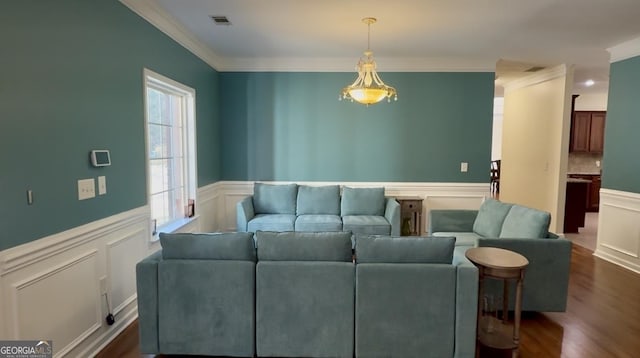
point(164, 22)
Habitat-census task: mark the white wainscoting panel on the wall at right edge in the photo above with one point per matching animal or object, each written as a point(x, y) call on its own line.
point(619, 228)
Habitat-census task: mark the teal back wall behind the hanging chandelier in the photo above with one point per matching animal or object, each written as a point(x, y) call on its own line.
point(291, 126)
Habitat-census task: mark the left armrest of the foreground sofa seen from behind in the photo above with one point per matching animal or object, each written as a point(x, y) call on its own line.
point(147, 289)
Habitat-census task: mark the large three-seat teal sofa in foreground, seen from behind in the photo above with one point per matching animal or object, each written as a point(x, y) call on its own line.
point(204, 294)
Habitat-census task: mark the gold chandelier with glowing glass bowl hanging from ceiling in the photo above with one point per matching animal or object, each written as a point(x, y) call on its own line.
point(368, 88)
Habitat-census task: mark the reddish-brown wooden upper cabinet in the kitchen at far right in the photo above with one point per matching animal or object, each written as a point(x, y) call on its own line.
point(587, 131)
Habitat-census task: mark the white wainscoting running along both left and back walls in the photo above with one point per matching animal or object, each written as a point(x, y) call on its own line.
point(51, 288)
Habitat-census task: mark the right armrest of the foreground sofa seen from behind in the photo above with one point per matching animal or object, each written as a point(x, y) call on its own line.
point(466, 304)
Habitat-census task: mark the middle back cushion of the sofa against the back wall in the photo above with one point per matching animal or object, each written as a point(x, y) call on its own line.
point(318, 200)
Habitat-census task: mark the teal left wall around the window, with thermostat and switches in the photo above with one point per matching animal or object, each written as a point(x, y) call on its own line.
point(71, 81)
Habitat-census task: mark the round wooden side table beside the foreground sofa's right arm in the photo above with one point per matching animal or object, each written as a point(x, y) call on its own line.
point(504, 265)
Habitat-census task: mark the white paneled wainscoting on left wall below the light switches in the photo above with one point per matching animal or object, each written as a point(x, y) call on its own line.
point(51, 288)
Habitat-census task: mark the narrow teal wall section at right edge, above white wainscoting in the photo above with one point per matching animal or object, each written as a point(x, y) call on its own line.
point(620, 169)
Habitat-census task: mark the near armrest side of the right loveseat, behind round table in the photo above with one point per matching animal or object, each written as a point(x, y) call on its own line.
point(546, 279)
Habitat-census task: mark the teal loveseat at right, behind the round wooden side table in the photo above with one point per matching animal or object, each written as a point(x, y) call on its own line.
point(520, 229)
